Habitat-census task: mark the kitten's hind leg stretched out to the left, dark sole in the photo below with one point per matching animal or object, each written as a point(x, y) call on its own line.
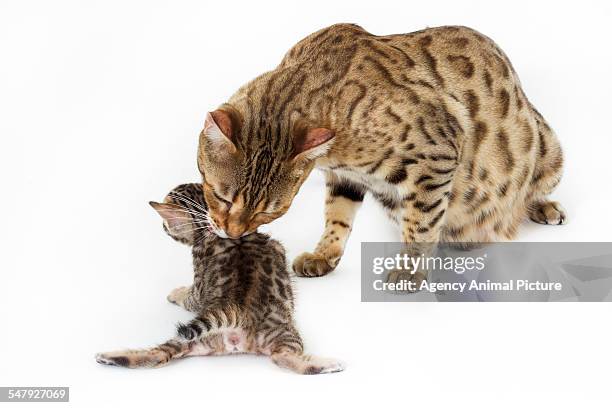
point(153, 357)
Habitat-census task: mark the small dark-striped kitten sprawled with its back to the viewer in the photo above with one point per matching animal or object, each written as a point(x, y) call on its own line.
point(242, 295)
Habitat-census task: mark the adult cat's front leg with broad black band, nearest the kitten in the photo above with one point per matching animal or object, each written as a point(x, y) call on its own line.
point(343, 199)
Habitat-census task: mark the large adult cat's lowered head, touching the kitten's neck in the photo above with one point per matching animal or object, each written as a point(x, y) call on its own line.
point(253, 169)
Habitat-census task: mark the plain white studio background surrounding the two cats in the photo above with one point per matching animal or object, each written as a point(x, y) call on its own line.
point(101, 103)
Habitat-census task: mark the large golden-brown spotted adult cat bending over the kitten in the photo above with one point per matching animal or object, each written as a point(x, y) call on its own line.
point(434, 124)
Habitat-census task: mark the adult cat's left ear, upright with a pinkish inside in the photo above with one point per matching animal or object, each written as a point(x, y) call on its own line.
point(221, 128)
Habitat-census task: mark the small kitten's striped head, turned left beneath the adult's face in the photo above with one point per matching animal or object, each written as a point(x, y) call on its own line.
point(185, 214)
